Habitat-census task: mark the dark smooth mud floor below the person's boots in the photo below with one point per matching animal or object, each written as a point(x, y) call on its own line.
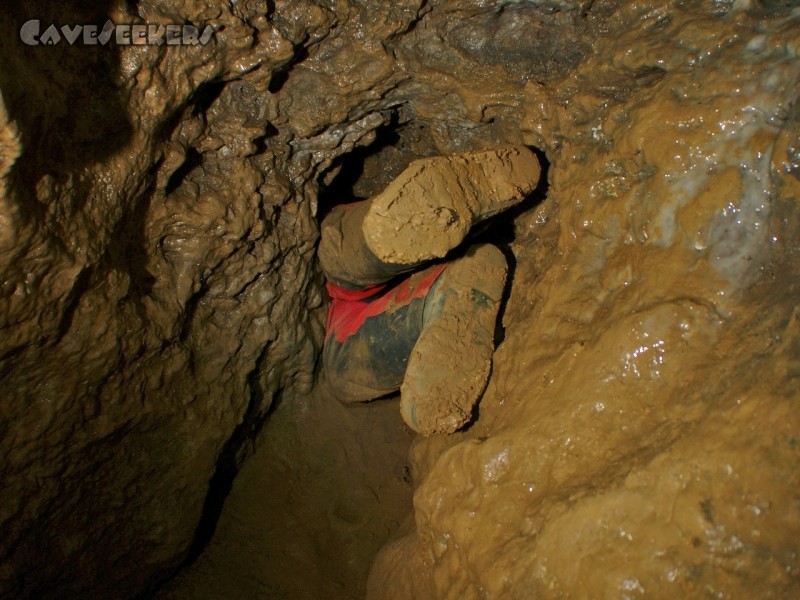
point(325, 489)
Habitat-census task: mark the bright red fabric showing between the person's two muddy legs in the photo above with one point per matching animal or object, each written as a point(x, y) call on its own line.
point(350, 308)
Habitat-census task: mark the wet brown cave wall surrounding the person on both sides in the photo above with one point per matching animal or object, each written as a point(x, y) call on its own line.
point(157, 238)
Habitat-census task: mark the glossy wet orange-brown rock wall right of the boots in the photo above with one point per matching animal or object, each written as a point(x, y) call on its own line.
point(651, 338)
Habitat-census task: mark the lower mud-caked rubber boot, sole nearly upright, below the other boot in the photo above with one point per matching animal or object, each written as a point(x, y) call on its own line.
point(449, 365)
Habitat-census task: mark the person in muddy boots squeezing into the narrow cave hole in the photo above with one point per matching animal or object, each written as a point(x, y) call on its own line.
point(401, 318)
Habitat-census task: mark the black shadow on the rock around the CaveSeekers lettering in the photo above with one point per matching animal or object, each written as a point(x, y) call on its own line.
point(64, 98)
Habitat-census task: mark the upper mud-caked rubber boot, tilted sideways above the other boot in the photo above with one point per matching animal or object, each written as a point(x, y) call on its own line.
point(431, 206)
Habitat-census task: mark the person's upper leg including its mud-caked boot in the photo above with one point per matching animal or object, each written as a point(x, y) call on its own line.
point(424, 213)
